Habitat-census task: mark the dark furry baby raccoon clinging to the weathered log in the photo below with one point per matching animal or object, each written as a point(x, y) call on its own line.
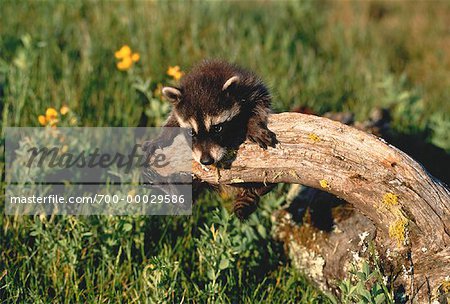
point(223, 105)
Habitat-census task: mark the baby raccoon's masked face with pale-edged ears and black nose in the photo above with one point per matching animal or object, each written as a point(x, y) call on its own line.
point(214, 115)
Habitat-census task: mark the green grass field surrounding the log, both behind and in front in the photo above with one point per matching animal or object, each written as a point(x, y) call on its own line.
point(328, 56)
